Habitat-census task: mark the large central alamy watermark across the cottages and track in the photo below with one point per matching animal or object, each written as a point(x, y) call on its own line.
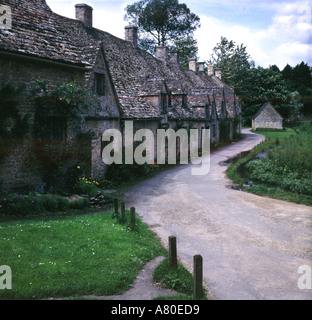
point(193, 145)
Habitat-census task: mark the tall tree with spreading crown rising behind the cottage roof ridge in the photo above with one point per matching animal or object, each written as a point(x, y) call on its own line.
point(161, 22)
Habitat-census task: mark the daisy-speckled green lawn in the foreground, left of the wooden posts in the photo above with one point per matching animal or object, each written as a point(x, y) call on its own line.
point(74, 256)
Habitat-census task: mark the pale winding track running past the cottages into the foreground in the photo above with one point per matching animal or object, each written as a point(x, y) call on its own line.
point(252, 246)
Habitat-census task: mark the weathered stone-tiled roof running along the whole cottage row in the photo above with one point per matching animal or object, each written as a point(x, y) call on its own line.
point(136, 74)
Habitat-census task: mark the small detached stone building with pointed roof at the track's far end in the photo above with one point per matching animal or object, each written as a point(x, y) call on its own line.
point(267, 117)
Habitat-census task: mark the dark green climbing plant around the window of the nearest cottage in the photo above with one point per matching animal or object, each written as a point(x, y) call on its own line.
point(60, 158)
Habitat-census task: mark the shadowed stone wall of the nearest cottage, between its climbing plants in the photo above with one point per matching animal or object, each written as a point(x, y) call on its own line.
point(20, 170)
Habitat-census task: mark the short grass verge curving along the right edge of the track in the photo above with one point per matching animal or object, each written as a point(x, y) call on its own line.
point(273, 139)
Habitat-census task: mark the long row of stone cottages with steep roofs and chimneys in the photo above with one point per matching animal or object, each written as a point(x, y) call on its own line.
point(129, 84)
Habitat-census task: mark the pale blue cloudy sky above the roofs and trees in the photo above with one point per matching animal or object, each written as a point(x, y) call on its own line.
point(273, 32)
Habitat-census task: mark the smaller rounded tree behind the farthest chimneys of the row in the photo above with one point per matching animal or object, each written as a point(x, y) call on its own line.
point(234, 61)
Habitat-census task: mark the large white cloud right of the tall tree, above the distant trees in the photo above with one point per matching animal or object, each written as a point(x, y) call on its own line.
point(287, 39)
